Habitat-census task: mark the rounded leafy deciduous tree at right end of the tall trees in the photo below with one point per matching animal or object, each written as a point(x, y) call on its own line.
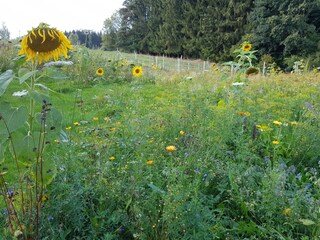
point(284, 28)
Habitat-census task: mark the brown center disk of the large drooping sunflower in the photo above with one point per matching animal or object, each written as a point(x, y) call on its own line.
point(43, 43)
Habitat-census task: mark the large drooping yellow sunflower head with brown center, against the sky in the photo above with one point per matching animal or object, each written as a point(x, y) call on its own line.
point(44, 43)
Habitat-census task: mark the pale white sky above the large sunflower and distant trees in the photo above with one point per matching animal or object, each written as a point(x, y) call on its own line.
point(19, 16)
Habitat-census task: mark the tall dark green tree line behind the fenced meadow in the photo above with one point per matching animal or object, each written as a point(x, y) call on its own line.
point(212, 29)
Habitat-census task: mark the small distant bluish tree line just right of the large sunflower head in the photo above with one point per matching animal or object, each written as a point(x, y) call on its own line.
point(88, 38)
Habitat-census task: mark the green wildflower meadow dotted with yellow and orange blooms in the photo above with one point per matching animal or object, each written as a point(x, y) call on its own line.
point(164, 155)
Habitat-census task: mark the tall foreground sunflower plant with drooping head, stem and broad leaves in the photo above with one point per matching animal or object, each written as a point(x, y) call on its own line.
point(26, 134)
